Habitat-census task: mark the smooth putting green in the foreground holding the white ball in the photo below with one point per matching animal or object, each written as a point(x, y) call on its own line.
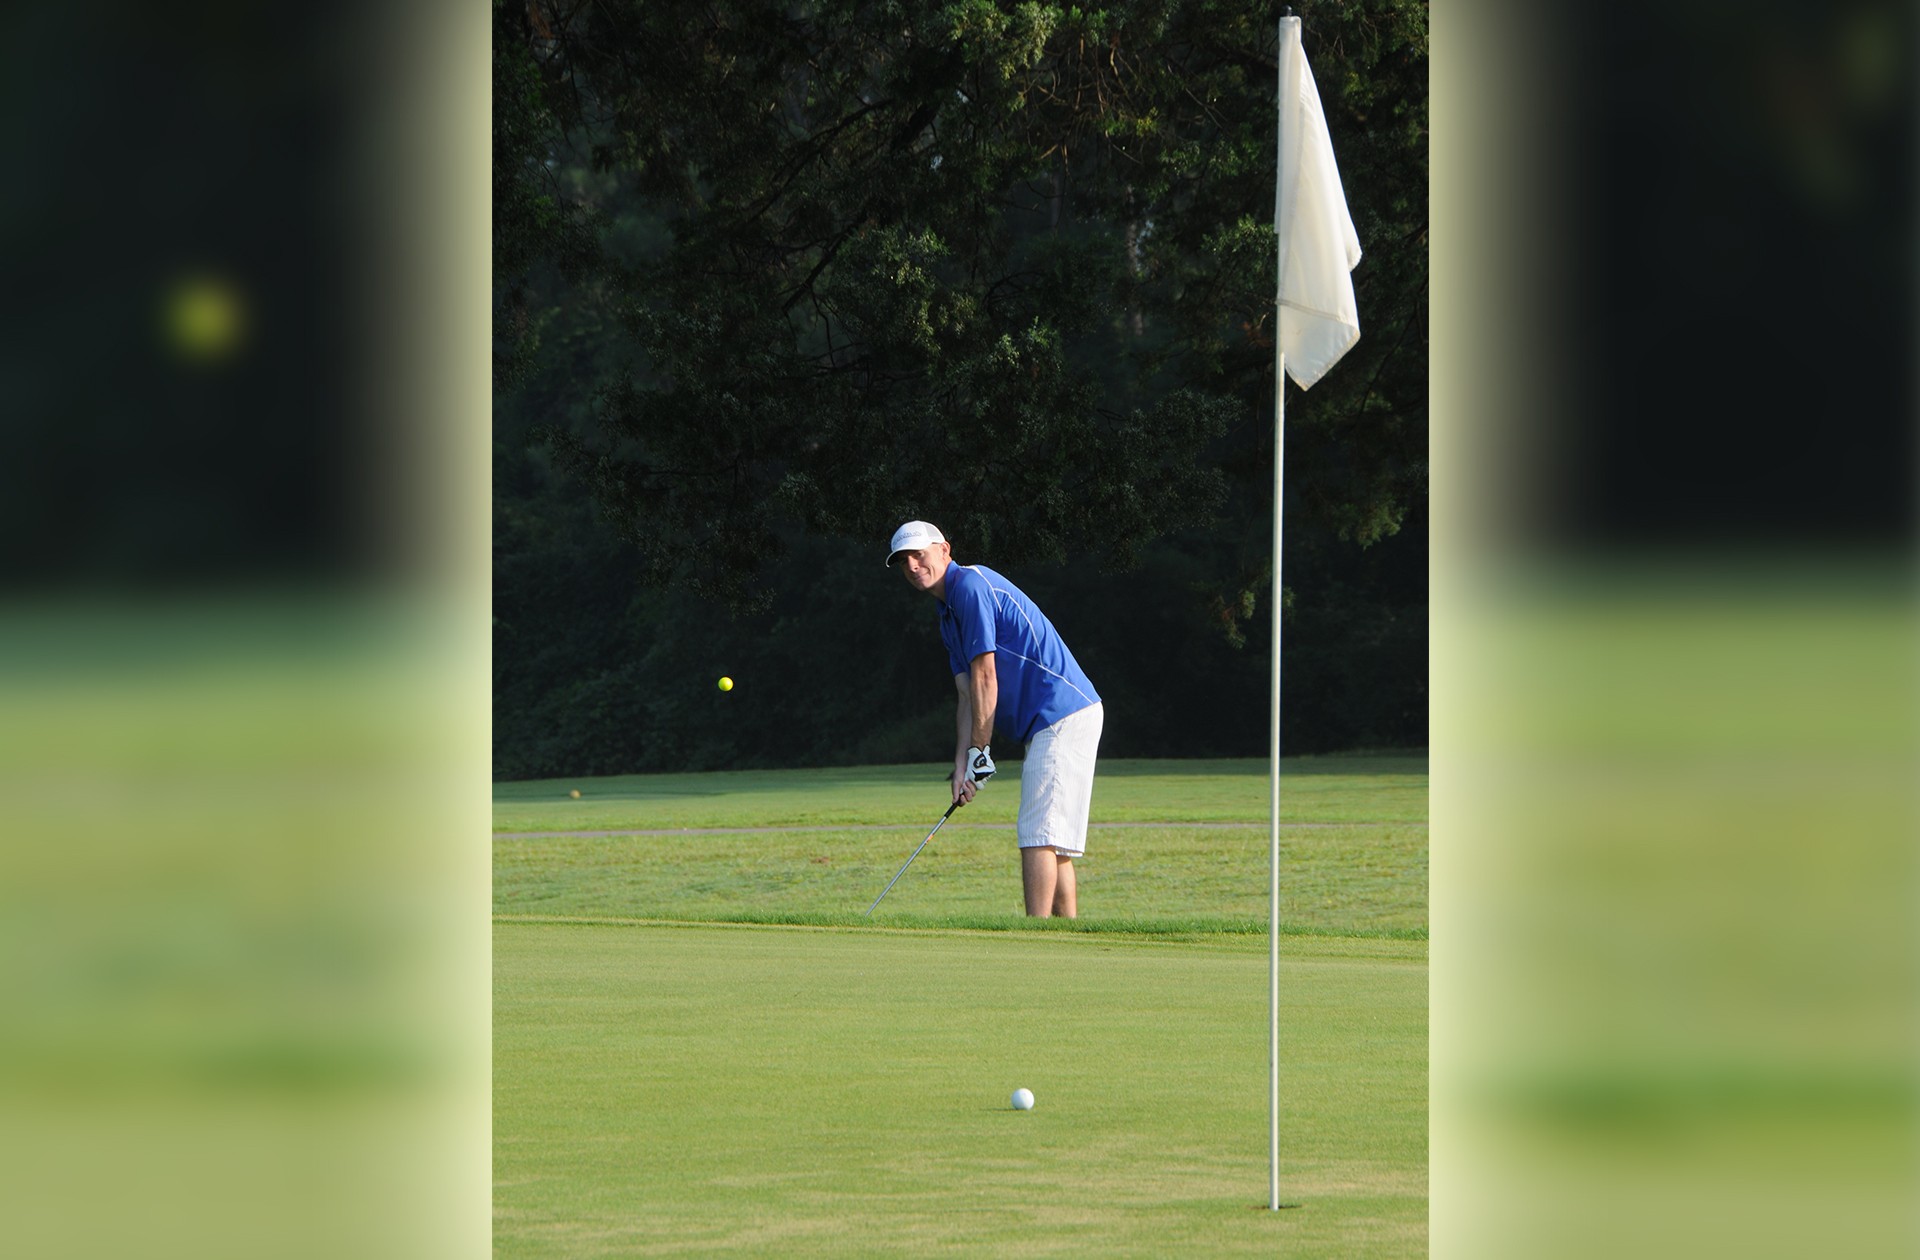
point(846, 1094)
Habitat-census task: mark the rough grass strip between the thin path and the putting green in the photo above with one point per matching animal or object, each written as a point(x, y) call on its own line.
point(1172, 879)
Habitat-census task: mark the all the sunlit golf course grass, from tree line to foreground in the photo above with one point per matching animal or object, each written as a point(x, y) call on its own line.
point(706, 1046)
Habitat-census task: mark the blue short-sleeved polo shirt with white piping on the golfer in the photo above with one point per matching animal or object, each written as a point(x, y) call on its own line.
point(1038, 677)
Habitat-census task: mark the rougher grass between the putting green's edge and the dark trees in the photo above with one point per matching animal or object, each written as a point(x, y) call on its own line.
point(1353, 852)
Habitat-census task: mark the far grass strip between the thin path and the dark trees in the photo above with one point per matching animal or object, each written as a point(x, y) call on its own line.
point(1374, 788)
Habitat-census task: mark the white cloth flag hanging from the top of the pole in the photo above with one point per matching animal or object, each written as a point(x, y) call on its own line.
point(1320, 247)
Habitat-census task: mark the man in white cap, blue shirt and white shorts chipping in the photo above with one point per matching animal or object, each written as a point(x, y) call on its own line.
point(1015, 671)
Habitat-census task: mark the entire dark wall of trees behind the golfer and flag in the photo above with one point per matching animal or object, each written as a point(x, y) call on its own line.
point(775, 278)
